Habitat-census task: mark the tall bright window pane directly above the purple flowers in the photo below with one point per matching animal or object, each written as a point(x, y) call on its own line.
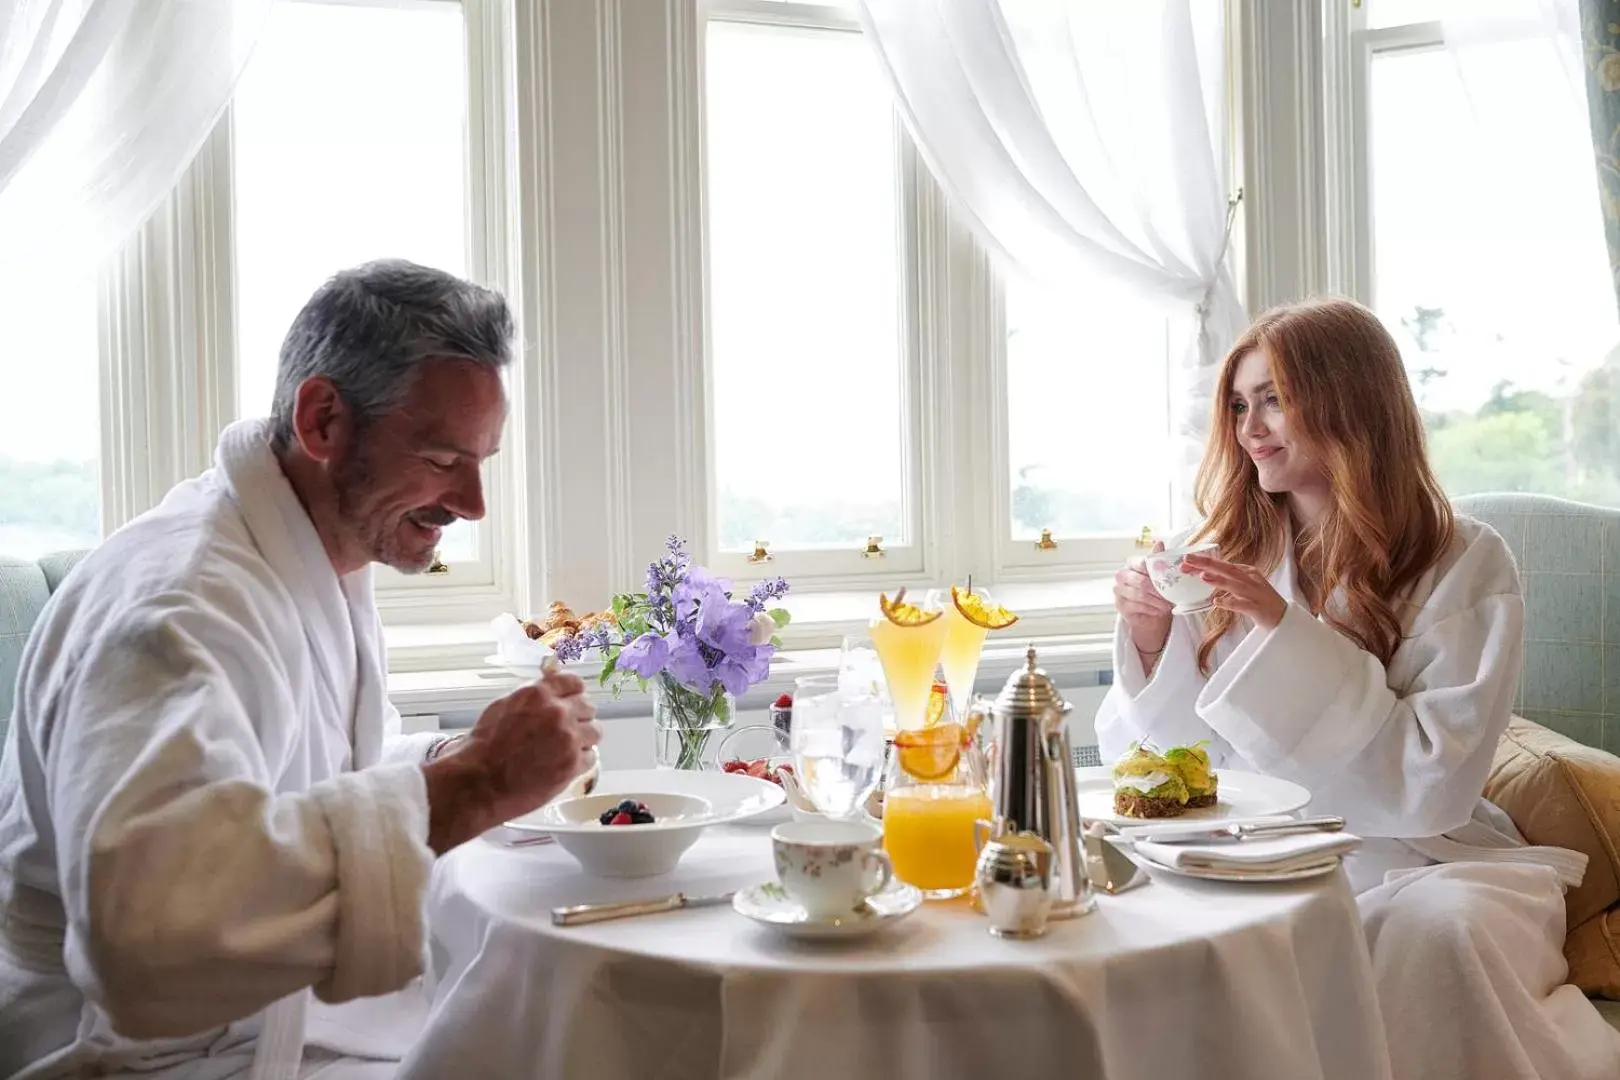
point(806, 231)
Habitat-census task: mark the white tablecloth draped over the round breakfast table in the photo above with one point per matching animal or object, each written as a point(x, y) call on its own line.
point(1177, 979)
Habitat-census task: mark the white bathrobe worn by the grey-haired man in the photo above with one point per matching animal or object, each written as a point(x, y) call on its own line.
point(200, 812)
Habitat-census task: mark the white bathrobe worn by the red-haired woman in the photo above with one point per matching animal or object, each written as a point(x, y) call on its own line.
point(1465, 922)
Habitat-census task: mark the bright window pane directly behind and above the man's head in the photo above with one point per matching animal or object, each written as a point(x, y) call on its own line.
point(351, 145)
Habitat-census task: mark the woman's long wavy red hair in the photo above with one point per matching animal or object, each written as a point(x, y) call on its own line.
point(1342, 385)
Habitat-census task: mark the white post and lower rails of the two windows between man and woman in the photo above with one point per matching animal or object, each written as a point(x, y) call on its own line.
point(955, 344)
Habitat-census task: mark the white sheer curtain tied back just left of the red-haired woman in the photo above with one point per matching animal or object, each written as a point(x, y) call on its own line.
point(1086, 143)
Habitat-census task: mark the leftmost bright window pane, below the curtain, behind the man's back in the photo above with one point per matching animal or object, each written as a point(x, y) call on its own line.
point(49, 419)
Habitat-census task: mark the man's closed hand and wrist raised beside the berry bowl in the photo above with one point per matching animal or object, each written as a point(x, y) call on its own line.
point(524, 750)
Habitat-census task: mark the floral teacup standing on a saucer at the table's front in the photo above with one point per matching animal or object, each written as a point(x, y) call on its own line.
point(830, 867)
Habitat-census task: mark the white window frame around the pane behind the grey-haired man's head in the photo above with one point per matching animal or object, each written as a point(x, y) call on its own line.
point(169, 349)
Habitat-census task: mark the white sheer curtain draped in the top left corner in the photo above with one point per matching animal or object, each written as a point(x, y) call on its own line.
point(103, 106)
